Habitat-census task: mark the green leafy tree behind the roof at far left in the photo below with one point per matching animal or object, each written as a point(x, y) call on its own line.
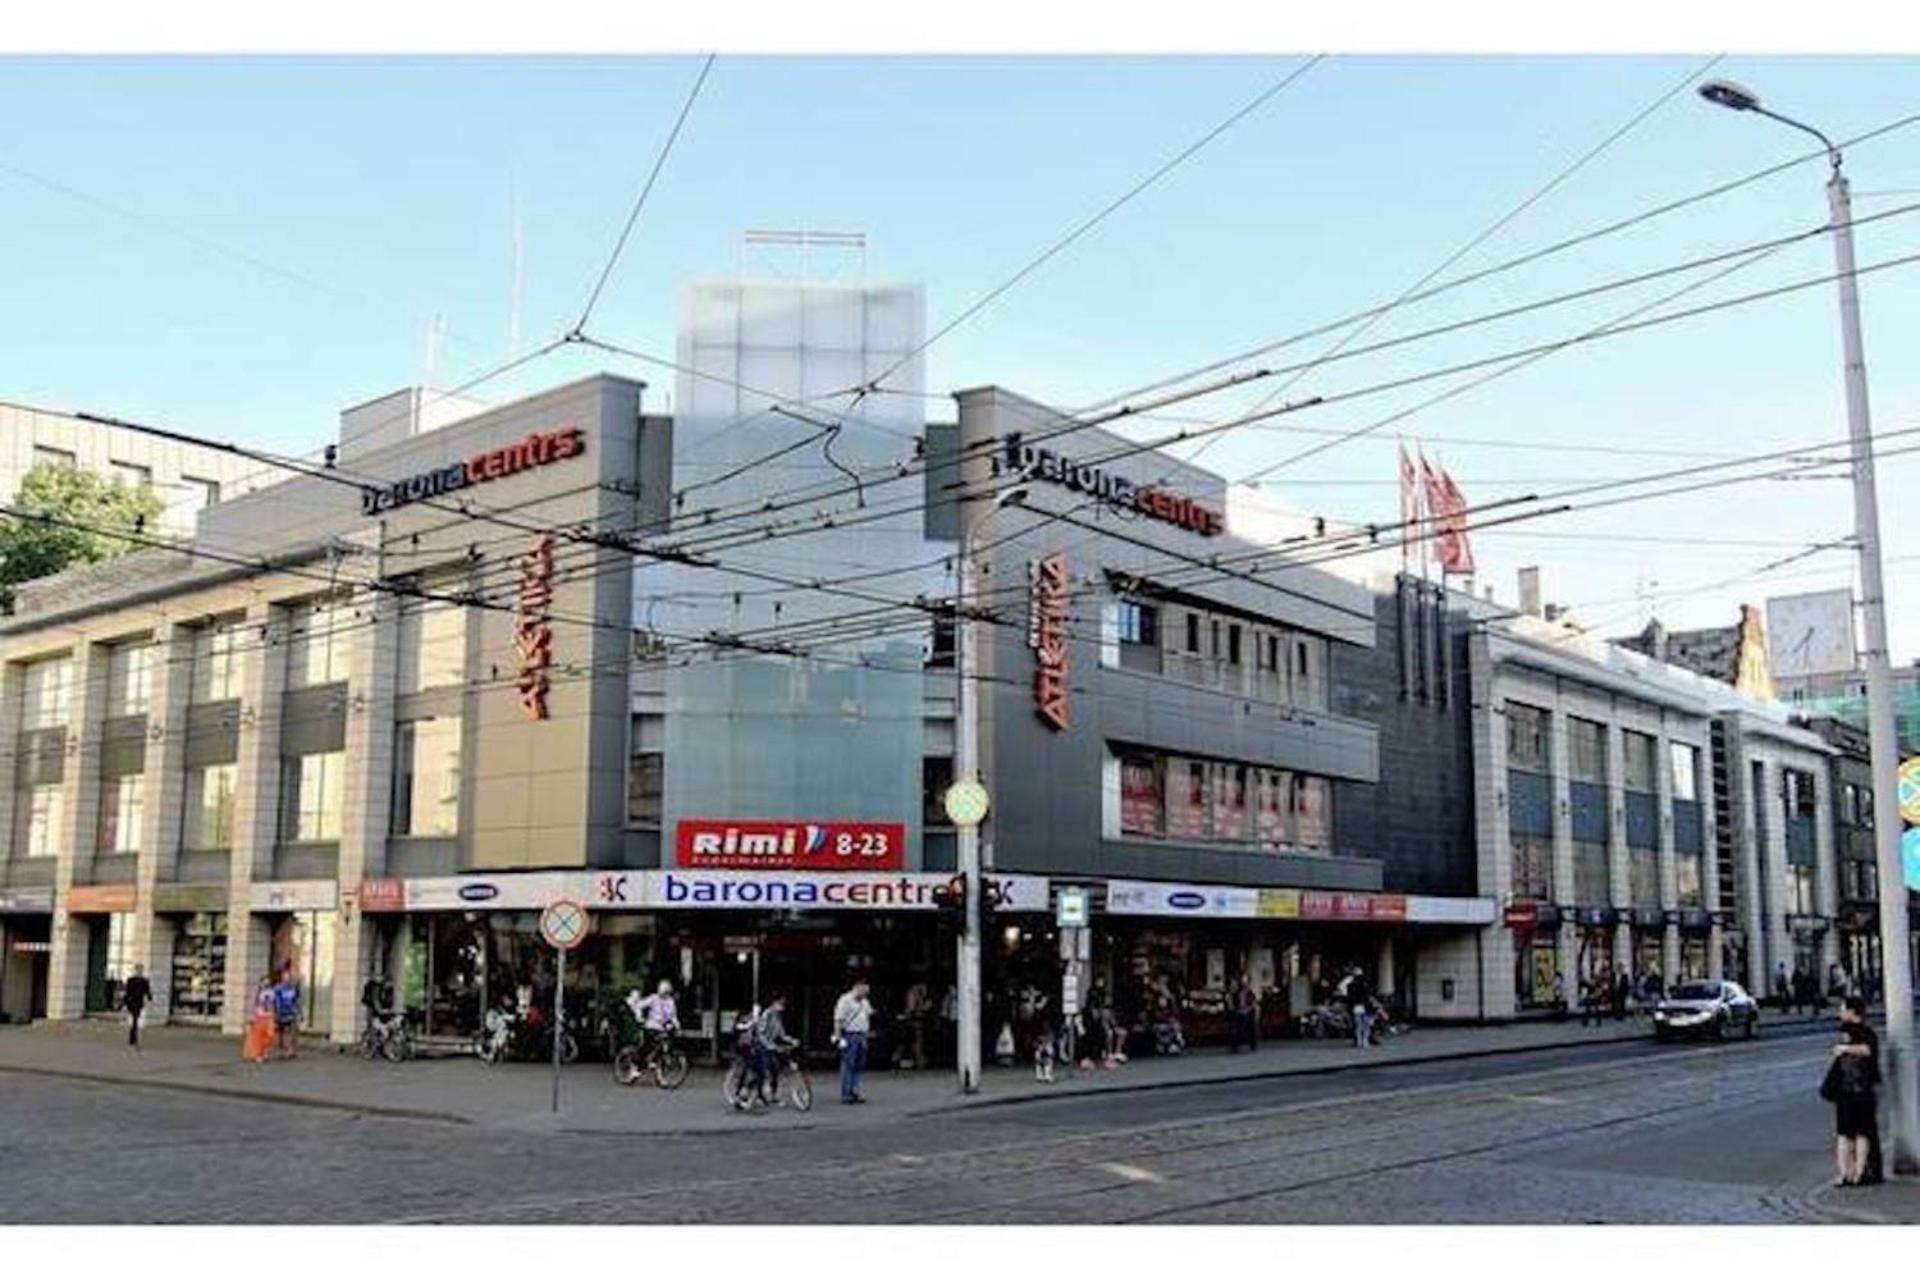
point(66, 517)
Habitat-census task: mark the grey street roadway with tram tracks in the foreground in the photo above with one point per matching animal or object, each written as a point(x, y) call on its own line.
point(1631, 1133)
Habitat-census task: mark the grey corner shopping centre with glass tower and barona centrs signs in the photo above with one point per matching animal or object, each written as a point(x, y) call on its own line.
point(696, 671)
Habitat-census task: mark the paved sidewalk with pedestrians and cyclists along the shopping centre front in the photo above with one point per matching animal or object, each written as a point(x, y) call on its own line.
point(519, 1095)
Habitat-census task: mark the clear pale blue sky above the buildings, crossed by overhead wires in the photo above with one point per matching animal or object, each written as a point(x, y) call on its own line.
point(373, 195)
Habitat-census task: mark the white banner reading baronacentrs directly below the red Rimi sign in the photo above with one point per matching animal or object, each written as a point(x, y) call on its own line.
point(794, 891)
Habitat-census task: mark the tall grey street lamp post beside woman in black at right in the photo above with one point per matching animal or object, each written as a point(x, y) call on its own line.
point(1896, 964)
